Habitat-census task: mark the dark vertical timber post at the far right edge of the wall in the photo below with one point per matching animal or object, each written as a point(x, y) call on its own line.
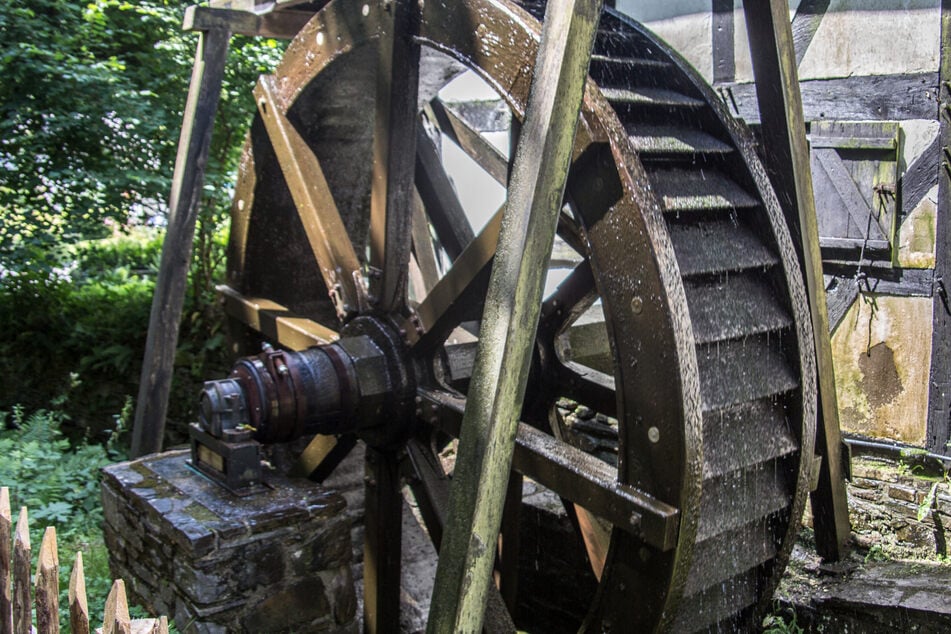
point(939, 409)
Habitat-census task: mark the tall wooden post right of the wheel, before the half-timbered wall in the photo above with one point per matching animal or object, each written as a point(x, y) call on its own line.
point(784, 136)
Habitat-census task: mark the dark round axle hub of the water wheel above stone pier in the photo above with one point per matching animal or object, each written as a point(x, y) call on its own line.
point(359, 384)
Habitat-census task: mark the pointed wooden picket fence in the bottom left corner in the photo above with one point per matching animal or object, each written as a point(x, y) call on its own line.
point(15, 598)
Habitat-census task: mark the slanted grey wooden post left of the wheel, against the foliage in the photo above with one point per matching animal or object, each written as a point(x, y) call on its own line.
point(193, 145)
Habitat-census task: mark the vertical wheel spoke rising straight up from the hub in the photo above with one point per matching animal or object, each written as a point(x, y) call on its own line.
point(394, 139)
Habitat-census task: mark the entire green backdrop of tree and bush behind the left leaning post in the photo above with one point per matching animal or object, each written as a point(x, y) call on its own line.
point(91, 102)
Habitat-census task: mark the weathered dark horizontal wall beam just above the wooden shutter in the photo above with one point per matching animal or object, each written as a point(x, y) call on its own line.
point(857, 98)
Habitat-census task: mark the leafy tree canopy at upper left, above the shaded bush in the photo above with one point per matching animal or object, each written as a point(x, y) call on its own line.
point(91, 101)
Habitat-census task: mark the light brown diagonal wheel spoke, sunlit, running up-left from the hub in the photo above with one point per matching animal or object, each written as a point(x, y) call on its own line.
point(318, 212)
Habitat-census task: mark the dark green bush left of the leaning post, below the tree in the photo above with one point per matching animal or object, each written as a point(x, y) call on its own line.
point(73, 323)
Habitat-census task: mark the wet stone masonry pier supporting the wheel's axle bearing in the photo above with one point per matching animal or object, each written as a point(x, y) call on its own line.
point(277, 561)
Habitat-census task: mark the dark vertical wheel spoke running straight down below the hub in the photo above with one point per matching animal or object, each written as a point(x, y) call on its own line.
point(383, 521)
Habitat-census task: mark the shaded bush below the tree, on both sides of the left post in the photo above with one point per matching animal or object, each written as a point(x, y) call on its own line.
point(73, 325)
